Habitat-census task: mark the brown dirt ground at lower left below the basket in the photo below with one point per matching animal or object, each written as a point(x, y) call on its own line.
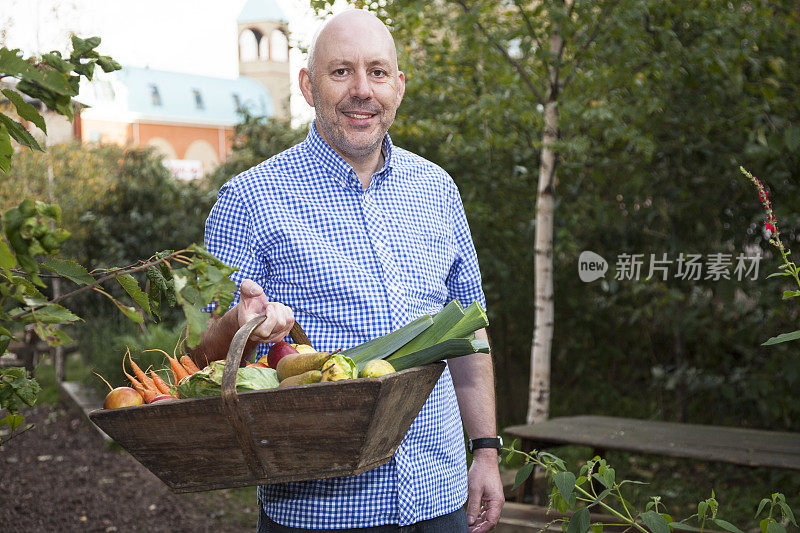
point(62, 476)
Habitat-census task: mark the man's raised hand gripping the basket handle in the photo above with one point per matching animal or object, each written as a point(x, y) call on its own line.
point(253, 302)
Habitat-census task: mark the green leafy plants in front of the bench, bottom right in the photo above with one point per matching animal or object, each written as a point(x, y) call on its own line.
point(596, 485)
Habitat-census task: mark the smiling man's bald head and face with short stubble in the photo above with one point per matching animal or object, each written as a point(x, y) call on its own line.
point(356, 87)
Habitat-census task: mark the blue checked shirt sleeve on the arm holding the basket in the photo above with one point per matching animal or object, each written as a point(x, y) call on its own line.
point(229, 236)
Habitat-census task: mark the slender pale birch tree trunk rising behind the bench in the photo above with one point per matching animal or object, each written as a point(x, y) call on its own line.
point(539, 386)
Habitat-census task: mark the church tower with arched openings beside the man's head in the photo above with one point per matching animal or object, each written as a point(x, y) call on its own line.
point(264, 50)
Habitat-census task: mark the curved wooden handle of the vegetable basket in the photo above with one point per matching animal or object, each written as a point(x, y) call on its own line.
point(230, 400)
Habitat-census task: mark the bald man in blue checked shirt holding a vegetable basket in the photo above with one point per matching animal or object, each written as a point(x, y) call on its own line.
point(354, 237)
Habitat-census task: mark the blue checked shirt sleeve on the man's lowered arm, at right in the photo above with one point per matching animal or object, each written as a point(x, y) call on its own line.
point(464, 279)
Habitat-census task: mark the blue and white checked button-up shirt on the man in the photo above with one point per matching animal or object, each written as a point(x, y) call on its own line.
point(352, 265)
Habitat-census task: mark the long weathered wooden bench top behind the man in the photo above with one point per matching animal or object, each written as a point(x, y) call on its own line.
point(741, 446)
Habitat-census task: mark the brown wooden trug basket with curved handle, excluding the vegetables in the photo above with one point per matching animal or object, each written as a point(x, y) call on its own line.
point(299, 433)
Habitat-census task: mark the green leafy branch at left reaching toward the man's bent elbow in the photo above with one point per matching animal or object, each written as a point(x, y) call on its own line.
point(191, 278)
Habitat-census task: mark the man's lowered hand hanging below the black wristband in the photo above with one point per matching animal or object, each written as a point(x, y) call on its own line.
point(486, 497)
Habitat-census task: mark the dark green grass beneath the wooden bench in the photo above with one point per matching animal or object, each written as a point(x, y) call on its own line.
point(682, 483)
